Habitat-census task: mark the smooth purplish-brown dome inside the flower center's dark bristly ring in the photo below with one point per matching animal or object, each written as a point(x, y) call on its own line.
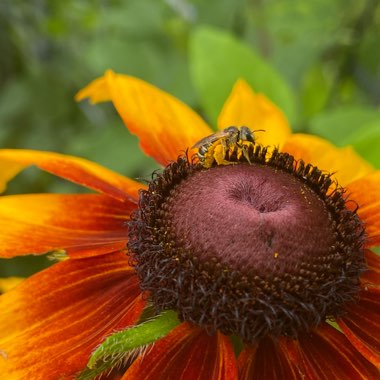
point(250, 217)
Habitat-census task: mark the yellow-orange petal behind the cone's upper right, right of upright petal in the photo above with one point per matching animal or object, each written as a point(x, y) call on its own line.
point(344, 162)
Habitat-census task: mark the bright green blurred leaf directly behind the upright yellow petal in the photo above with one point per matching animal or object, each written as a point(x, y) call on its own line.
point(217, 60)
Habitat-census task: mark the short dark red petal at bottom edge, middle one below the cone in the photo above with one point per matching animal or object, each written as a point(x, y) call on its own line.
point(266, 360)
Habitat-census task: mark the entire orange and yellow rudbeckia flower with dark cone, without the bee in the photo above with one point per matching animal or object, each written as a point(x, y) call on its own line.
point(267, 253)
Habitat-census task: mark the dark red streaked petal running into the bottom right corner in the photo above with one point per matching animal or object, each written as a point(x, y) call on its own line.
point(326, 354)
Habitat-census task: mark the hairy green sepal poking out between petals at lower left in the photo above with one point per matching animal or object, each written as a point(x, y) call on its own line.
point(117, 346)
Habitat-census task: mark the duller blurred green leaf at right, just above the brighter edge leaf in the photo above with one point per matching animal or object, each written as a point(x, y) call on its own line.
point(340, 124)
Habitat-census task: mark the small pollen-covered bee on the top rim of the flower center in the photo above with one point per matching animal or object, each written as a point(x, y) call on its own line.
point(218, 146)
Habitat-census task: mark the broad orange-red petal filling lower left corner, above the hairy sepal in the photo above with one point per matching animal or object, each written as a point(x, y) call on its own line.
point(50, 324)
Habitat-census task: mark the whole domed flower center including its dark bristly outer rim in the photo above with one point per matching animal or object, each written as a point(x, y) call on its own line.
point(266, 248)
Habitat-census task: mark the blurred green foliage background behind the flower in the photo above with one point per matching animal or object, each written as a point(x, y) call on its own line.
point(318, 60)
